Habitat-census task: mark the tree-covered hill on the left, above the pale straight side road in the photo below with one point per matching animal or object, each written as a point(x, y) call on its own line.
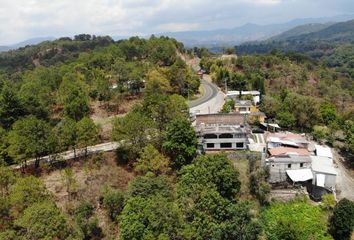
point(47, 90)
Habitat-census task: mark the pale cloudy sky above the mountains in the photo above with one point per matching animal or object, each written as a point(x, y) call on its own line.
point(24, 19)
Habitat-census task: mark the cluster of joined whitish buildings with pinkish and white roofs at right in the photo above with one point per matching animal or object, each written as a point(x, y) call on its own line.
point(292, 157)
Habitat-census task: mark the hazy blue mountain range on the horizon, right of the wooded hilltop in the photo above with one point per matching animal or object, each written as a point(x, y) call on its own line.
point(251, 32)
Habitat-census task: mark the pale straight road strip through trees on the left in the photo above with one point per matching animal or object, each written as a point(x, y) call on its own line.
point(68, 155)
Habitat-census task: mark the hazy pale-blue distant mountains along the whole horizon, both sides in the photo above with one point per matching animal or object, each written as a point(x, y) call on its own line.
point(230, 37)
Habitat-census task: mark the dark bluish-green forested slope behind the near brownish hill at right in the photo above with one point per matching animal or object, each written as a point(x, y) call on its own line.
point(332, 45)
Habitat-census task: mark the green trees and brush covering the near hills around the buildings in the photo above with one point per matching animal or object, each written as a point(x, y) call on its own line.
point(45, 108)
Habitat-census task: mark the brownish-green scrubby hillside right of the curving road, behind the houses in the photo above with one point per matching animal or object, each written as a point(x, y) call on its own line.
point(298, 92)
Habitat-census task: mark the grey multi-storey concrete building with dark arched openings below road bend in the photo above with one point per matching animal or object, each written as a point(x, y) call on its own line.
point(222, 131)
